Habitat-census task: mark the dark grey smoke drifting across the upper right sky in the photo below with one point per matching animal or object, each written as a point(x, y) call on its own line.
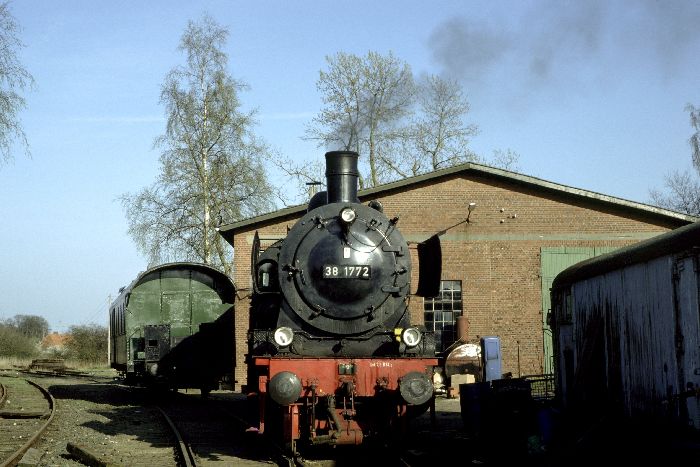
point(547, 43)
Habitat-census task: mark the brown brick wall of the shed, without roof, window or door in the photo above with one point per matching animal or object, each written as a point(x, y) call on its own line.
point(496, 255)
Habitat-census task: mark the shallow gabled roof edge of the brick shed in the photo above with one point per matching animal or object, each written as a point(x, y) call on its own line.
point(469, 168)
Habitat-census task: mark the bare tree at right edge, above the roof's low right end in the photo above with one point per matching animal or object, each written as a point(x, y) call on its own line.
point(682, 189)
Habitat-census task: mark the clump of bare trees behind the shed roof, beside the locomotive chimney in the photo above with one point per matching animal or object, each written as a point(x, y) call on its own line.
point(400, 126)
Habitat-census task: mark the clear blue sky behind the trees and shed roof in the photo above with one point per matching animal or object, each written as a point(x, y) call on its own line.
point(590, 94)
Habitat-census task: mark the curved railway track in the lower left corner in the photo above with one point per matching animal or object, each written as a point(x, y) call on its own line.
point(26, 410)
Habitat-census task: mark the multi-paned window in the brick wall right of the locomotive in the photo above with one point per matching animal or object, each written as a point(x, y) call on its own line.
point(441, 313)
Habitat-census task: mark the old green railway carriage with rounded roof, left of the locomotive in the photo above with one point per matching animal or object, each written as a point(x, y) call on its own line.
point(173, 325)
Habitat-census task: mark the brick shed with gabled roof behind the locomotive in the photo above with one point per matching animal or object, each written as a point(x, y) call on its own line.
point(498, 266)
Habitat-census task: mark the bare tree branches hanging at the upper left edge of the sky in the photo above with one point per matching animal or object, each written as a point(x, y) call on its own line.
point(14, 79)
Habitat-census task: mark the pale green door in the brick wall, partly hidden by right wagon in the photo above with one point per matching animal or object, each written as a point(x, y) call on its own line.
point(553, 261)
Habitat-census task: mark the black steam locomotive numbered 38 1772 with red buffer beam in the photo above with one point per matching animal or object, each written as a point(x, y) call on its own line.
point(331, 347)
